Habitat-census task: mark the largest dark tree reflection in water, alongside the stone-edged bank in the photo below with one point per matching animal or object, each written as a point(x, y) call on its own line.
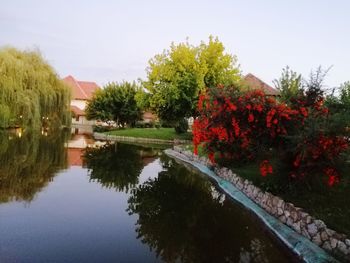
point(183, 218)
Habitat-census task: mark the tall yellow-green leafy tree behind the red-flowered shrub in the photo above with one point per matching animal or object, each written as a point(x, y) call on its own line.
point(176, 76)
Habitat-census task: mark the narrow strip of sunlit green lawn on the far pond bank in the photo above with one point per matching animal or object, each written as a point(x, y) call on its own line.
point(152, 133)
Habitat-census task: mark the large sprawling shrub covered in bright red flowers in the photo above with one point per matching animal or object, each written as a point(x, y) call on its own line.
point(245, 126)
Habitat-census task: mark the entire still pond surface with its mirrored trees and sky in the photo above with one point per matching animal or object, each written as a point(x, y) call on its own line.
point(60, 202)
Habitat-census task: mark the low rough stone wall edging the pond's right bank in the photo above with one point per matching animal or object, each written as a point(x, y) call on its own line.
point(294, 217)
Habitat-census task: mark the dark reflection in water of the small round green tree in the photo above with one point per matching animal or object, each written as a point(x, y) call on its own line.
point(118, 165)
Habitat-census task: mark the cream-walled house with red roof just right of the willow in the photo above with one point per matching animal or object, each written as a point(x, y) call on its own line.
point(82, 92)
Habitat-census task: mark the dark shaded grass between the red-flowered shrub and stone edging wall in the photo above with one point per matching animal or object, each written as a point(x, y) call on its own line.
point(330, 204)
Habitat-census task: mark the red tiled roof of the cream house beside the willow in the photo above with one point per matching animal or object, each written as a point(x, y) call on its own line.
point(81, 90)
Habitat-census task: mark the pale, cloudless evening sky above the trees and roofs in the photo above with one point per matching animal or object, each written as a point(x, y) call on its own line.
point(106, 41)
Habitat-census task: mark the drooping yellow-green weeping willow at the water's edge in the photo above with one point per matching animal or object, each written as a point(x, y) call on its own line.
point(30, 91)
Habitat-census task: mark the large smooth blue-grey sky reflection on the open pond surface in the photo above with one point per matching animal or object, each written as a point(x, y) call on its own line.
point(72, 220)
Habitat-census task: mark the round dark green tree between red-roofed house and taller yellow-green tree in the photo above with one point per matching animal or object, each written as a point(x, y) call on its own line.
point(115, 102)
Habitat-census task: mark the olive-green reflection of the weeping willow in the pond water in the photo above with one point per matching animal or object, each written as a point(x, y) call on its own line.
point(28, 161)
